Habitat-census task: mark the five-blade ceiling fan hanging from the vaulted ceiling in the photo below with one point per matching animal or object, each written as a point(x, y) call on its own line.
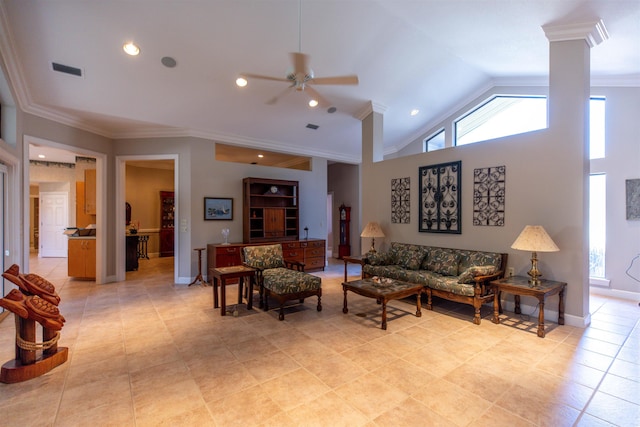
point(302, 78)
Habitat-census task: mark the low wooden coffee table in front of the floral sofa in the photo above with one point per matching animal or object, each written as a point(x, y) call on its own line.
point(383, 291)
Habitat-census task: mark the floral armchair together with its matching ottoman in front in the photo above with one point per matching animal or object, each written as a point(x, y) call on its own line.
point(279, 278)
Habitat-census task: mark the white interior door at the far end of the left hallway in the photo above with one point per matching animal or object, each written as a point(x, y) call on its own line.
point(54, 218)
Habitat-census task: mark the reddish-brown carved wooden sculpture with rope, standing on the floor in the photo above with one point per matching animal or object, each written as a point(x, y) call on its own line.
point(35, 300)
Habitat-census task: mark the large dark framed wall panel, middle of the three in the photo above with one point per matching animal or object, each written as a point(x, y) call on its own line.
point(440, 195)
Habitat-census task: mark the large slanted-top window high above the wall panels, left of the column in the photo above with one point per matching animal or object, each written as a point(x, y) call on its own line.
point(502, 116)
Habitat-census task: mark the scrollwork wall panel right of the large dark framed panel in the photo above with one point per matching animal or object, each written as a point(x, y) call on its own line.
point(488, 196)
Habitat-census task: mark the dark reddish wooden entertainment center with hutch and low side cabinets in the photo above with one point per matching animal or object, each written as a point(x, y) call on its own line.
point(270, 215)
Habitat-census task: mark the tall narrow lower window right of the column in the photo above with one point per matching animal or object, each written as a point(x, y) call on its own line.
point(597, 224)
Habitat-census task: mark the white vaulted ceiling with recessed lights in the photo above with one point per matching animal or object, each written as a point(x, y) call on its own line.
point(432, 55)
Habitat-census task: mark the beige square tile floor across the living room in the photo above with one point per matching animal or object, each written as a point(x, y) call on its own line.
point(146, 352)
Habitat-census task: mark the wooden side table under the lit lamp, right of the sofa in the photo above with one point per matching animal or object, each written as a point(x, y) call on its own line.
point(518, 285)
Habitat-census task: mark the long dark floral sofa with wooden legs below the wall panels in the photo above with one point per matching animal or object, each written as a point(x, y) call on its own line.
point(459, 275)
